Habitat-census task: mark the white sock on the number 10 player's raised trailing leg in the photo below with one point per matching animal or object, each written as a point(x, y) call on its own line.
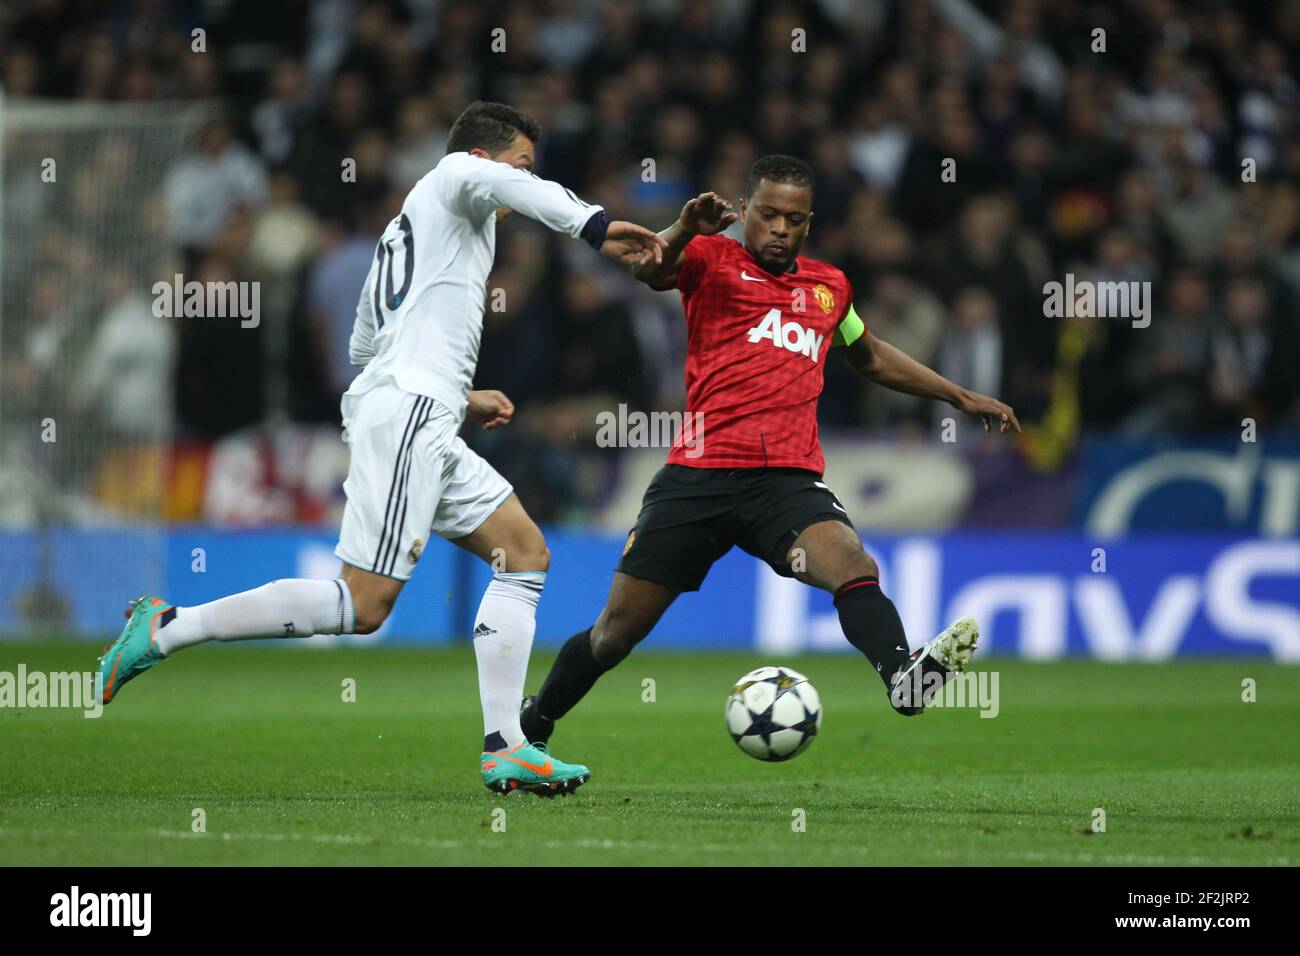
point(289, 608)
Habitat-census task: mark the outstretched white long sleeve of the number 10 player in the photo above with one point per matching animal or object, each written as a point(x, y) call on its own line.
point(480, 187)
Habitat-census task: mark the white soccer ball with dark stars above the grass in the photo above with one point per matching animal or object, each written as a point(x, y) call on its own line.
point(774, 713)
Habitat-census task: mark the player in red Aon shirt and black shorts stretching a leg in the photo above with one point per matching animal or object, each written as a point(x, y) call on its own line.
point(761, 322)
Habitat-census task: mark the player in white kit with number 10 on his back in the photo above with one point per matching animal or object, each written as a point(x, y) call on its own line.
point(418, 328)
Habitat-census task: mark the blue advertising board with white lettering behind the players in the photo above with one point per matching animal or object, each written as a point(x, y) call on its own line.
point(1038, 596)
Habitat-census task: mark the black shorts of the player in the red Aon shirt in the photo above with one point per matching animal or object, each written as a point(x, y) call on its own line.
point(692, 517)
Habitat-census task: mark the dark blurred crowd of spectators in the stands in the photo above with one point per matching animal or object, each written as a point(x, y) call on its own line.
point(1147, 141)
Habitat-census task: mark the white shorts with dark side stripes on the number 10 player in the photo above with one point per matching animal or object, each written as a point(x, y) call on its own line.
point(410, 477)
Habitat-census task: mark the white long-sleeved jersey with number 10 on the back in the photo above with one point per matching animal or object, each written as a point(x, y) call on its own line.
point(422, 310)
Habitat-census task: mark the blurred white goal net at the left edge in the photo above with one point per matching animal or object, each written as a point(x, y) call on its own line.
point(86, 367)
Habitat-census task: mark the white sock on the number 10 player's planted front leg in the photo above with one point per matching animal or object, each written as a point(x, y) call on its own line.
point(504, 639)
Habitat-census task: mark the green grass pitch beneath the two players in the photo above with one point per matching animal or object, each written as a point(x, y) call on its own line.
point(285, 772)
